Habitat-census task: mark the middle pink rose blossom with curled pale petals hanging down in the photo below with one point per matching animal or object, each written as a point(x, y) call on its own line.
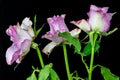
point(57, 24)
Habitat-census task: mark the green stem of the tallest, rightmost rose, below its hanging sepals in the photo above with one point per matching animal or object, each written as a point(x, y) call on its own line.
point(91, 64)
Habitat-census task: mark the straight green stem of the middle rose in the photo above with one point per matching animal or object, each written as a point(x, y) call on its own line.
point(66, 62)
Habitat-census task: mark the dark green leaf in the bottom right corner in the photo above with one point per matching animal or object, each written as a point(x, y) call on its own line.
point(107, 75)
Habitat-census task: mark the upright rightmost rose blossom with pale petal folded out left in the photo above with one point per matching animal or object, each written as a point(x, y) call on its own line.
point(99, 20)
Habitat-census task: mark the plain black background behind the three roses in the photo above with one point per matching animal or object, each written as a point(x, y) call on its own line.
point(15, 11)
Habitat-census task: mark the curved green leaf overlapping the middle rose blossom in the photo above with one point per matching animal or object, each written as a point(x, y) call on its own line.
point(72, 40)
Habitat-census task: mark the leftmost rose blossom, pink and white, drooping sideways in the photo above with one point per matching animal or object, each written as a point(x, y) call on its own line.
point(21, 36)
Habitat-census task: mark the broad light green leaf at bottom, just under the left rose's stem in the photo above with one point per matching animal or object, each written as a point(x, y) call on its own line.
point(45, 72)
